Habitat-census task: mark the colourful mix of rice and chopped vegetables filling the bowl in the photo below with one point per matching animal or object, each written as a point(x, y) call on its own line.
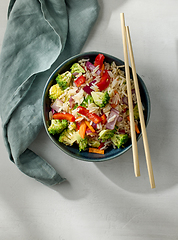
point(89, 106)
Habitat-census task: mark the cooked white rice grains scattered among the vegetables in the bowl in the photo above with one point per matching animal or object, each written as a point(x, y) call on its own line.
point(117, 90)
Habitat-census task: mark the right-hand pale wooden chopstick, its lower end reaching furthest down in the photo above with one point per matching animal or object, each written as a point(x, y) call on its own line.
point(142, 121)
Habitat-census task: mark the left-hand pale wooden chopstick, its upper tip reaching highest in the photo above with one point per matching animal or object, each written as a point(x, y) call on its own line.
point(130, 103)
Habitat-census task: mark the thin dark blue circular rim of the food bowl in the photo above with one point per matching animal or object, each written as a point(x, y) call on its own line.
point(73, 155)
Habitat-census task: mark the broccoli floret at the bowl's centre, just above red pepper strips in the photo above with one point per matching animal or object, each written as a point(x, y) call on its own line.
point(100, 98)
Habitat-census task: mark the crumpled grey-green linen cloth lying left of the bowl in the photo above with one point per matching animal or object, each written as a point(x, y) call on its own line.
point(40, 34)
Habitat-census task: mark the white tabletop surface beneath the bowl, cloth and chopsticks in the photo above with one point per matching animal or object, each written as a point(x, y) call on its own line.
point(104, 200)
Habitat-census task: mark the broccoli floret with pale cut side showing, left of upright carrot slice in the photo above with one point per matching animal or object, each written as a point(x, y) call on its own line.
point(68, 137)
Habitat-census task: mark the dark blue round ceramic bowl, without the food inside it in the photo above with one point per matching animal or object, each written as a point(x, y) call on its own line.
point(73, 151)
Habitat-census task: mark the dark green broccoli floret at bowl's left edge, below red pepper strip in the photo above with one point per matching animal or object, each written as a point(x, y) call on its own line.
point(57, 126)
